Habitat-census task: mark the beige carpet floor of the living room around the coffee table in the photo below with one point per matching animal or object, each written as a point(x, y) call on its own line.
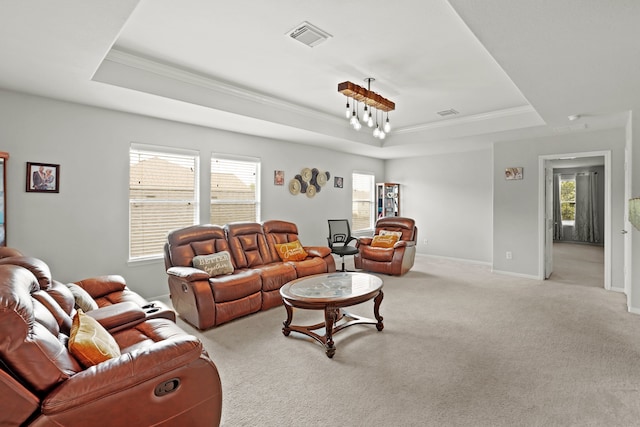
point(461, 347)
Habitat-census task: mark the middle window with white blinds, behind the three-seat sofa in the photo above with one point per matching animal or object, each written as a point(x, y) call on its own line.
point(234, 189)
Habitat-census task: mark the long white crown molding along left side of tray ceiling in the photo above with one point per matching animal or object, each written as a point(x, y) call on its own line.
point(193, 78)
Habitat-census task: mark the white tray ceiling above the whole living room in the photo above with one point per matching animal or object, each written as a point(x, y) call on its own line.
point(513, 69)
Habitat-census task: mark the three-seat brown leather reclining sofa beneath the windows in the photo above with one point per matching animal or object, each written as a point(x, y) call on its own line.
point(258, 272)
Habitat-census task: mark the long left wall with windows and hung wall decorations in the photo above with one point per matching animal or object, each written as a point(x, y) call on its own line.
point(83, 230)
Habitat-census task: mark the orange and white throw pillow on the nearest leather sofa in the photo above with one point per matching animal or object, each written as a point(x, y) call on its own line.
point(90, 342)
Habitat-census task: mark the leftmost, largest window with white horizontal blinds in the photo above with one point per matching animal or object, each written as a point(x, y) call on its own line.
point(163, 195)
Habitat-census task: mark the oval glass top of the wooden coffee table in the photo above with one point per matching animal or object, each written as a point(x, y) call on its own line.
point(335, 285)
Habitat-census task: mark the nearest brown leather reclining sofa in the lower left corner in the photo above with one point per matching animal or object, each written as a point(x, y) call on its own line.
point(162, 377)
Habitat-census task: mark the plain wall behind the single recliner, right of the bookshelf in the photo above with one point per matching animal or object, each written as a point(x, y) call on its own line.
point(450, 197)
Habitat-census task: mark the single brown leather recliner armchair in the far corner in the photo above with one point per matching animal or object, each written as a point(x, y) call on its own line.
point(396, 260)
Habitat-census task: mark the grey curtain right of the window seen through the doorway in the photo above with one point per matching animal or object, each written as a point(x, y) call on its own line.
point(586, 228)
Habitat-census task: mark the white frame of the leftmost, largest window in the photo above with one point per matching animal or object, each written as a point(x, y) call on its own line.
point(156, 150)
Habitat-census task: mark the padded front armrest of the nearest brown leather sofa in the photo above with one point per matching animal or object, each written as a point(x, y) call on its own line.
point(122, 373)
